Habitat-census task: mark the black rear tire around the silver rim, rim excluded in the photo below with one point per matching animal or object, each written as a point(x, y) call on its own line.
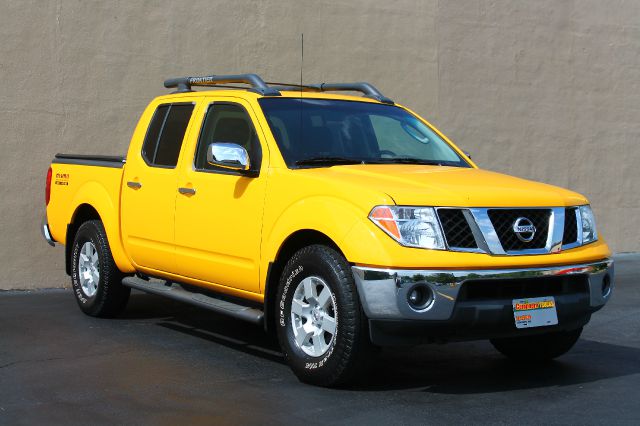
point(111, 296)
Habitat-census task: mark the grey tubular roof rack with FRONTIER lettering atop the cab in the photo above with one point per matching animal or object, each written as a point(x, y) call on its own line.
point(258, 85)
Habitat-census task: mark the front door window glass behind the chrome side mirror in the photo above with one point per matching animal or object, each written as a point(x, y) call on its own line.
point(227, 123)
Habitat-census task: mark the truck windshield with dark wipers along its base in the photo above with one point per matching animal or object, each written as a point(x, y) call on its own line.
point(321, 133)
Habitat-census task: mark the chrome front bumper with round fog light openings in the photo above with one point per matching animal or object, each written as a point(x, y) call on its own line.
point(384, 292)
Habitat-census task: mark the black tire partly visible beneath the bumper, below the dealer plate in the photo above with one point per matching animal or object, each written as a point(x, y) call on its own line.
point(537, 348)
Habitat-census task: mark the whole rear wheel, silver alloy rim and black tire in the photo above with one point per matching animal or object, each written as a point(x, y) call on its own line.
point(96, 280)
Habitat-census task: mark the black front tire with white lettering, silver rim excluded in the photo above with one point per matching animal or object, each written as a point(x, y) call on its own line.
point(348, 349)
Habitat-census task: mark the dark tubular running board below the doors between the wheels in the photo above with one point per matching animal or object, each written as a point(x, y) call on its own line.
point(234, 310)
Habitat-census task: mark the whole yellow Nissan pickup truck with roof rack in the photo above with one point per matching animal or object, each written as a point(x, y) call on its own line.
point(340, 222)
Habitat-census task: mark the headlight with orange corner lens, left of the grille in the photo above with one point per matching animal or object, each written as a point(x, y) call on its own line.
point(410, 226)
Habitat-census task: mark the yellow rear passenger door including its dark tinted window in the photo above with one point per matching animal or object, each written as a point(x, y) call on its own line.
point(149, 194)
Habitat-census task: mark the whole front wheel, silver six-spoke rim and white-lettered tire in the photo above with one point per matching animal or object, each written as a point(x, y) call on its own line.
point(321, 327)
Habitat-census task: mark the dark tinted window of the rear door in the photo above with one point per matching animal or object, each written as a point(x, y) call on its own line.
point(164, 137)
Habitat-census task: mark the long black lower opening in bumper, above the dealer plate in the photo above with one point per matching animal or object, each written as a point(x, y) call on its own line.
point(523, 288)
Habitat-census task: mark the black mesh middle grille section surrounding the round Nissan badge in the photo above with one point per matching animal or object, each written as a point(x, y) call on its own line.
point(504, 219)
